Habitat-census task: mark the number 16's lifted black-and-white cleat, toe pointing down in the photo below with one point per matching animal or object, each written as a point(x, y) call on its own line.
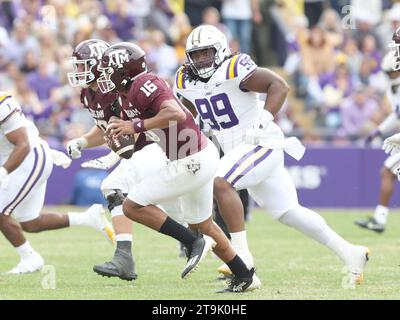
point(196, 253)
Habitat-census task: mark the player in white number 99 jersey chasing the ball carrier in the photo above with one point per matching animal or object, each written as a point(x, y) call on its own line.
point(223, 88)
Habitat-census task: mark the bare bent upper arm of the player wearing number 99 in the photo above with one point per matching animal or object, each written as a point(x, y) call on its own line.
point(266, 81)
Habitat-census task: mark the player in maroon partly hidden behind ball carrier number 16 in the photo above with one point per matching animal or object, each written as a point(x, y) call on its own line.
point(102, 106)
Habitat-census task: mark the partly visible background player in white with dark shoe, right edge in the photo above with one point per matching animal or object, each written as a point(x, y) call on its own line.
point(389, 170)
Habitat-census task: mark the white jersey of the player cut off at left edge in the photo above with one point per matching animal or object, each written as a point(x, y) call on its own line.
point(12, 118)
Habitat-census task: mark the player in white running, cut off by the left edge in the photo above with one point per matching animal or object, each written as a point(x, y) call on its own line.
point(26, 162)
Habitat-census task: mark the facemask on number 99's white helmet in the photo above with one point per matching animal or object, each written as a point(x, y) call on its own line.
point(204, 61)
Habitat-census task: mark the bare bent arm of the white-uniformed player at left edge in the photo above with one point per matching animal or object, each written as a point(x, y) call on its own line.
point(19, 139)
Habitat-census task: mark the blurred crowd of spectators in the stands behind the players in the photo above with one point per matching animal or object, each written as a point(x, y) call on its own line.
point(328, 50)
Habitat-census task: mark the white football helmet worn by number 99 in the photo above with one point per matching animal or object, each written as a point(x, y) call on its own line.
point(203, 38)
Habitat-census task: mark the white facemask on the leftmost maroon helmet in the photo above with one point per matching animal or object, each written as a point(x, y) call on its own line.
point(82, 75)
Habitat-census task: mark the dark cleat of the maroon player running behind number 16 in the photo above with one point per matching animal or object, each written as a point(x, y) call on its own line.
point(121, 266)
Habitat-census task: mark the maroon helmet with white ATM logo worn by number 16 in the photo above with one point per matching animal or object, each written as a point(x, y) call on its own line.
point(121, 64)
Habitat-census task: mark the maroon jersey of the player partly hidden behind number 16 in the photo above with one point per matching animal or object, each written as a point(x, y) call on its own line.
point(102, 106)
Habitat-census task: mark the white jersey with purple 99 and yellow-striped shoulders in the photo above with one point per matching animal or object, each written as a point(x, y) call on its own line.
point(223, 104)
